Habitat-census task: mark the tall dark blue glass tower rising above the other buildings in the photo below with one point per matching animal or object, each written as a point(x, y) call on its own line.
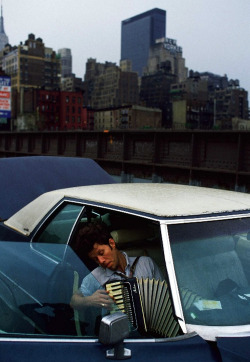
point(138, 34)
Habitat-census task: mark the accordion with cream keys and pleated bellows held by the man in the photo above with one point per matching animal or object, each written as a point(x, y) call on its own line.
point(148, 304)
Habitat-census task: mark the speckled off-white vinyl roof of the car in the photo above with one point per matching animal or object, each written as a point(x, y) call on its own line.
point(160, 200)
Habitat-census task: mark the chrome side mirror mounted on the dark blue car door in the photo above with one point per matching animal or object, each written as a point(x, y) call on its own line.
point(113, 329)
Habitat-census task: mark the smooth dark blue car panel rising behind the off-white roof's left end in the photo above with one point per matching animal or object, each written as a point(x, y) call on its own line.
point(22, 179)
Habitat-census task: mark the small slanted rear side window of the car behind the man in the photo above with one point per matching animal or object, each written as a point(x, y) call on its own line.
point(53, 236)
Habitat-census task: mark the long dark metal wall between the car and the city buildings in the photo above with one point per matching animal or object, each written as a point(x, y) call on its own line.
point(207, 158)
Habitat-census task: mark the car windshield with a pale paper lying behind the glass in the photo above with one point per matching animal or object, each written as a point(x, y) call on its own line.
point(212, 265)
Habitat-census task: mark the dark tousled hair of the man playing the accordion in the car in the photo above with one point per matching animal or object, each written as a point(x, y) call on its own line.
point(91, 233)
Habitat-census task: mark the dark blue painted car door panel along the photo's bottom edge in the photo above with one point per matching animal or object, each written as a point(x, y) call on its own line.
point(188, 349)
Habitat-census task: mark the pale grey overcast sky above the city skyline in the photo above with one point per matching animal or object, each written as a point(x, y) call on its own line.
point(214, 34)
